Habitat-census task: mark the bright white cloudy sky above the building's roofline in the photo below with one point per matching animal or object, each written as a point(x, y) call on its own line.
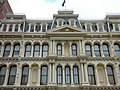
point(44, 9)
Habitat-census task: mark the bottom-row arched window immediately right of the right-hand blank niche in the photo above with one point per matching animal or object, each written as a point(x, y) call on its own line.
point(110, 73)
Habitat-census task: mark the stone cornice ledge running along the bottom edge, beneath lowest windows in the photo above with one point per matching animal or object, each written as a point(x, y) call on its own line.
point(47, 87)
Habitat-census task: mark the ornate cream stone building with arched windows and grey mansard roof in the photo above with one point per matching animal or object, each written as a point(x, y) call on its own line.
point(60, 54)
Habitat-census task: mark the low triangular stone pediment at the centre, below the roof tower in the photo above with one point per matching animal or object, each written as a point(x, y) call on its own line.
point(67, 29)
